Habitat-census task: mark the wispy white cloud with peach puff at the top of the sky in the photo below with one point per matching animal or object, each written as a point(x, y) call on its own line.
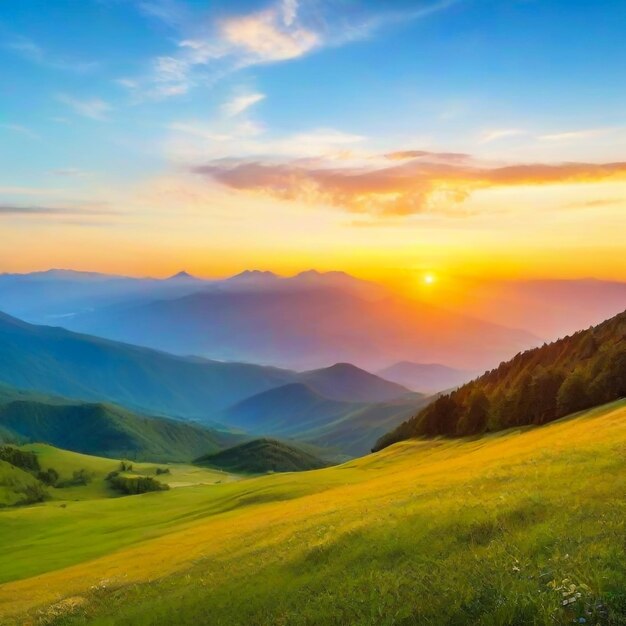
point(282, 31)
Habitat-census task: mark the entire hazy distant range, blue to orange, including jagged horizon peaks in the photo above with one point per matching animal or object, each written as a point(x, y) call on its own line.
point(302, 322)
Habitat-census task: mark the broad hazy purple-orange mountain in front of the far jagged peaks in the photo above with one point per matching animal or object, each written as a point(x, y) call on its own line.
point(305, 328)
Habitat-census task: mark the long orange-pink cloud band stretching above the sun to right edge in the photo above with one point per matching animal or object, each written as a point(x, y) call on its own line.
point(415, 185)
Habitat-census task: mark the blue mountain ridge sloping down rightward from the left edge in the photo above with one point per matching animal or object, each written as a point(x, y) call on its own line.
point(59, 362)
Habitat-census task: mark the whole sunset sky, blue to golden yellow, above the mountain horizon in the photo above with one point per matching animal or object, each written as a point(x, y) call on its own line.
point(482, 138)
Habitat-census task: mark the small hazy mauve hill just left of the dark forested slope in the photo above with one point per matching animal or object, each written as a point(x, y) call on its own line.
point(425, 377)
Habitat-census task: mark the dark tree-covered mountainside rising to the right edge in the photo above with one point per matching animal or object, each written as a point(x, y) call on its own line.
point(535, 387)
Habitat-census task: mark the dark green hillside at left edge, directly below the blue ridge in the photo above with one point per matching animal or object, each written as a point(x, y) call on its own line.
point(107, 430)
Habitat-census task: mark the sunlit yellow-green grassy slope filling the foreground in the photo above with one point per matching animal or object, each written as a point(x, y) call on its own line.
point(487, 531)
